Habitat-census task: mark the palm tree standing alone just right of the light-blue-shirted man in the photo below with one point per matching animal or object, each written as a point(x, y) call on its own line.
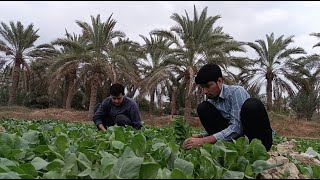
point(274, 54)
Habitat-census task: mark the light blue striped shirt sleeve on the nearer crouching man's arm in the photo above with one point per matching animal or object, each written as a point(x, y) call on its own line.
point(234, 130)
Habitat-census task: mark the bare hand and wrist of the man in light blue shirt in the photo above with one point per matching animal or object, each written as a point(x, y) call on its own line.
point(197, 140)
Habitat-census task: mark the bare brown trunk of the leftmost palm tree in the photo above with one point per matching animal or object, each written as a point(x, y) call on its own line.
point(14, 86)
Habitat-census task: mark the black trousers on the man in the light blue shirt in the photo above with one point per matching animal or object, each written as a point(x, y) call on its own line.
point(253, 116)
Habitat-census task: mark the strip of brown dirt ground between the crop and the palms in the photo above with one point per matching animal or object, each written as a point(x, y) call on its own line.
point(283, 125)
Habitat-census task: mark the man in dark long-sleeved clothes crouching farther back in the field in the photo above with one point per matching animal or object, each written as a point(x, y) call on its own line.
point(117, 109)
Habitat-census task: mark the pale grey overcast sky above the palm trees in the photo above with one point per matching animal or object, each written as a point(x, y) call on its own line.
point(245, 21)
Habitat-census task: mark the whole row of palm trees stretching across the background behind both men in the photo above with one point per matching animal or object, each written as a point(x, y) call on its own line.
point(76, 71)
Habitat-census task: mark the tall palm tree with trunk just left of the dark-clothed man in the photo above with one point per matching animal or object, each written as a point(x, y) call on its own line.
point(98, 68)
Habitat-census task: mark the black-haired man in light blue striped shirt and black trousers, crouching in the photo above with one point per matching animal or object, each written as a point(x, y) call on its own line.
point(229, 112)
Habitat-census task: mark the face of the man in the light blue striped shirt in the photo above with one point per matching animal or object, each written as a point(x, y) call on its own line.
point(212, 89)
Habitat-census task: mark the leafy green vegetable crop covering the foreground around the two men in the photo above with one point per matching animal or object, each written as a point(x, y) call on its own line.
point(53, 149)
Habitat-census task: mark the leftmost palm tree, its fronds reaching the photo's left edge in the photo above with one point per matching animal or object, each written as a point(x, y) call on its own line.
point(18, 43)
